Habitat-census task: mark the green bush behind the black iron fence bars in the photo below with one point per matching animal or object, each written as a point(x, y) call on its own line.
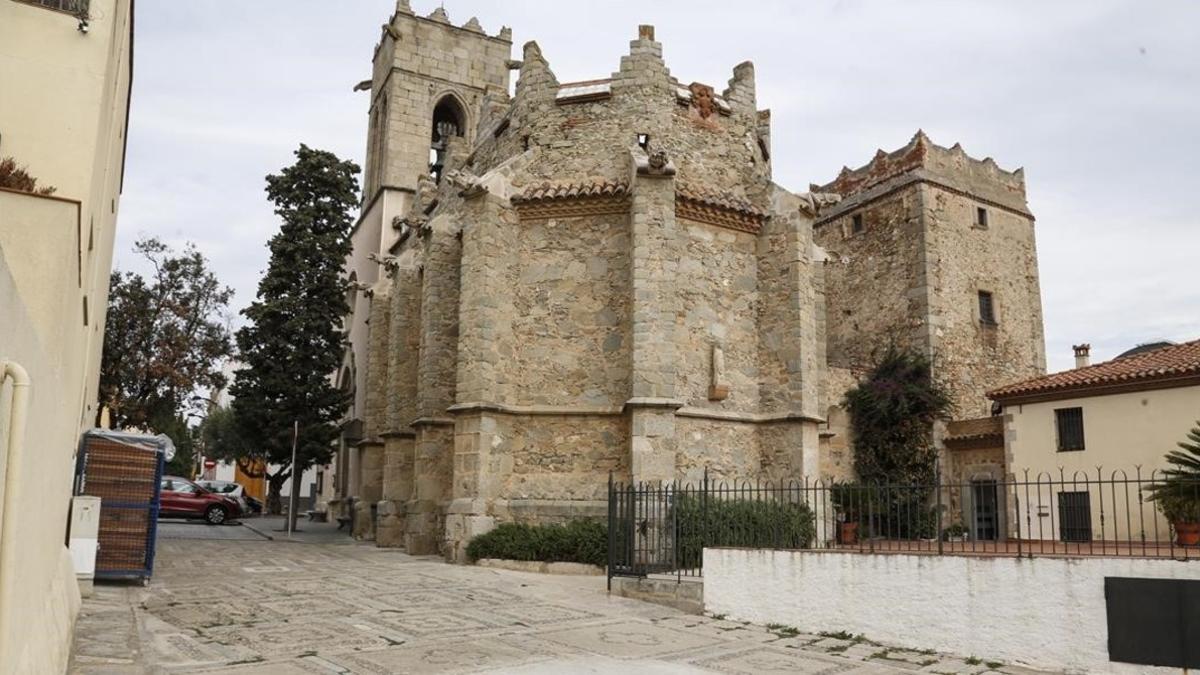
point(741, 523)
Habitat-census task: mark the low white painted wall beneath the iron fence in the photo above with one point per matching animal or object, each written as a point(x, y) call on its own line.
point(1045, 613)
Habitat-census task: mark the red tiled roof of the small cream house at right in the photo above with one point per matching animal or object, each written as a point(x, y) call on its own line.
point(1168, 366)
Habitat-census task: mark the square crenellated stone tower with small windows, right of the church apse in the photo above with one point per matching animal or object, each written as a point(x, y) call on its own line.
point(935, 250)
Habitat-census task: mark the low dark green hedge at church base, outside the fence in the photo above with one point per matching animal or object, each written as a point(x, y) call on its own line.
point(579, 541)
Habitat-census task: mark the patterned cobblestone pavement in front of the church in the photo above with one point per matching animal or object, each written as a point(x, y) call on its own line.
point(277, 607)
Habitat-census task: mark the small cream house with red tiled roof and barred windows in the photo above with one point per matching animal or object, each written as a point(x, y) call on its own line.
point(1121, 416)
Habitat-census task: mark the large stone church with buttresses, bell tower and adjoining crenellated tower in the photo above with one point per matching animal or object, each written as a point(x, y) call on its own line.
point(583, 279)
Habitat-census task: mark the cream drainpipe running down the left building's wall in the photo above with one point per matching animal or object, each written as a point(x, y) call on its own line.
point(13, 471)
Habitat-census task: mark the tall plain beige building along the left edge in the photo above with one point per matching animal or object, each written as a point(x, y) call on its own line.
point(65, 73)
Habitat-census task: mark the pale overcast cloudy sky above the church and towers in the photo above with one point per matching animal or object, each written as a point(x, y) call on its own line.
point(1099, 100)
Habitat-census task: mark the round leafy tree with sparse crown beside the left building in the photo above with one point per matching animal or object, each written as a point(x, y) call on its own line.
point(165, 338)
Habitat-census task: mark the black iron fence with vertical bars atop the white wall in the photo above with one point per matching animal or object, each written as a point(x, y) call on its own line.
point(664, 528)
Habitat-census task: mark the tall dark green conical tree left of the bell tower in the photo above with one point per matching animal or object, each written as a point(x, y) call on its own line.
point(292, 342)
